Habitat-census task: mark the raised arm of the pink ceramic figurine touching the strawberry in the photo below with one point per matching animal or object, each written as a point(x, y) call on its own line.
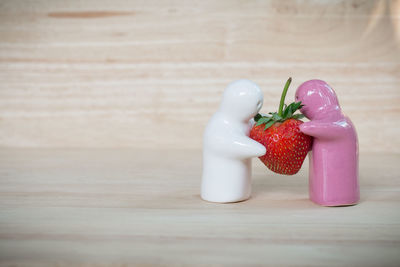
point(323, 129)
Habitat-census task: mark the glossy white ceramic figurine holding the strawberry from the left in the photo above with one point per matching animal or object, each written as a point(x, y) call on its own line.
point(227, 149)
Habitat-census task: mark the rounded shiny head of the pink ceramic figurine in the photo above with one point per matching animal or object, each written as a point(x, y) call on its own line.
point(318, 98)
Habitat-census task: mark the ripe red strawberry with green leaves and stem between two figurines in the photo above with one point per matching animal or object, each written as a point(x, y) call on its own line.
point(286, 146)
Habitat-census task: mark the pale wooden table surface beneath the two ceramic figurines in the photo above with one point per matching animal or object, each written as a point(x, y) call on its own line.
point(142, 207)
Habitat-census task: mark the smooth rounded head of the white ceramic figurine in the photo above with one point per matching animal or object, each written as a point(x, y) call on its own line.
point(242, 100)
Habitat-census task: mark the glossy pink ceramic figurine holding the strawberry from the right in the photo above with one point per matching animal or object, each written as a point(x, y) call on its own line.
point(333, 170)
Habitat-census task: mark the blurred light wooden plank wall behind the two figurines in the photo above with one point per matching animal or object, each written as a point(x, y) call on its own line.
point(149, 74)
